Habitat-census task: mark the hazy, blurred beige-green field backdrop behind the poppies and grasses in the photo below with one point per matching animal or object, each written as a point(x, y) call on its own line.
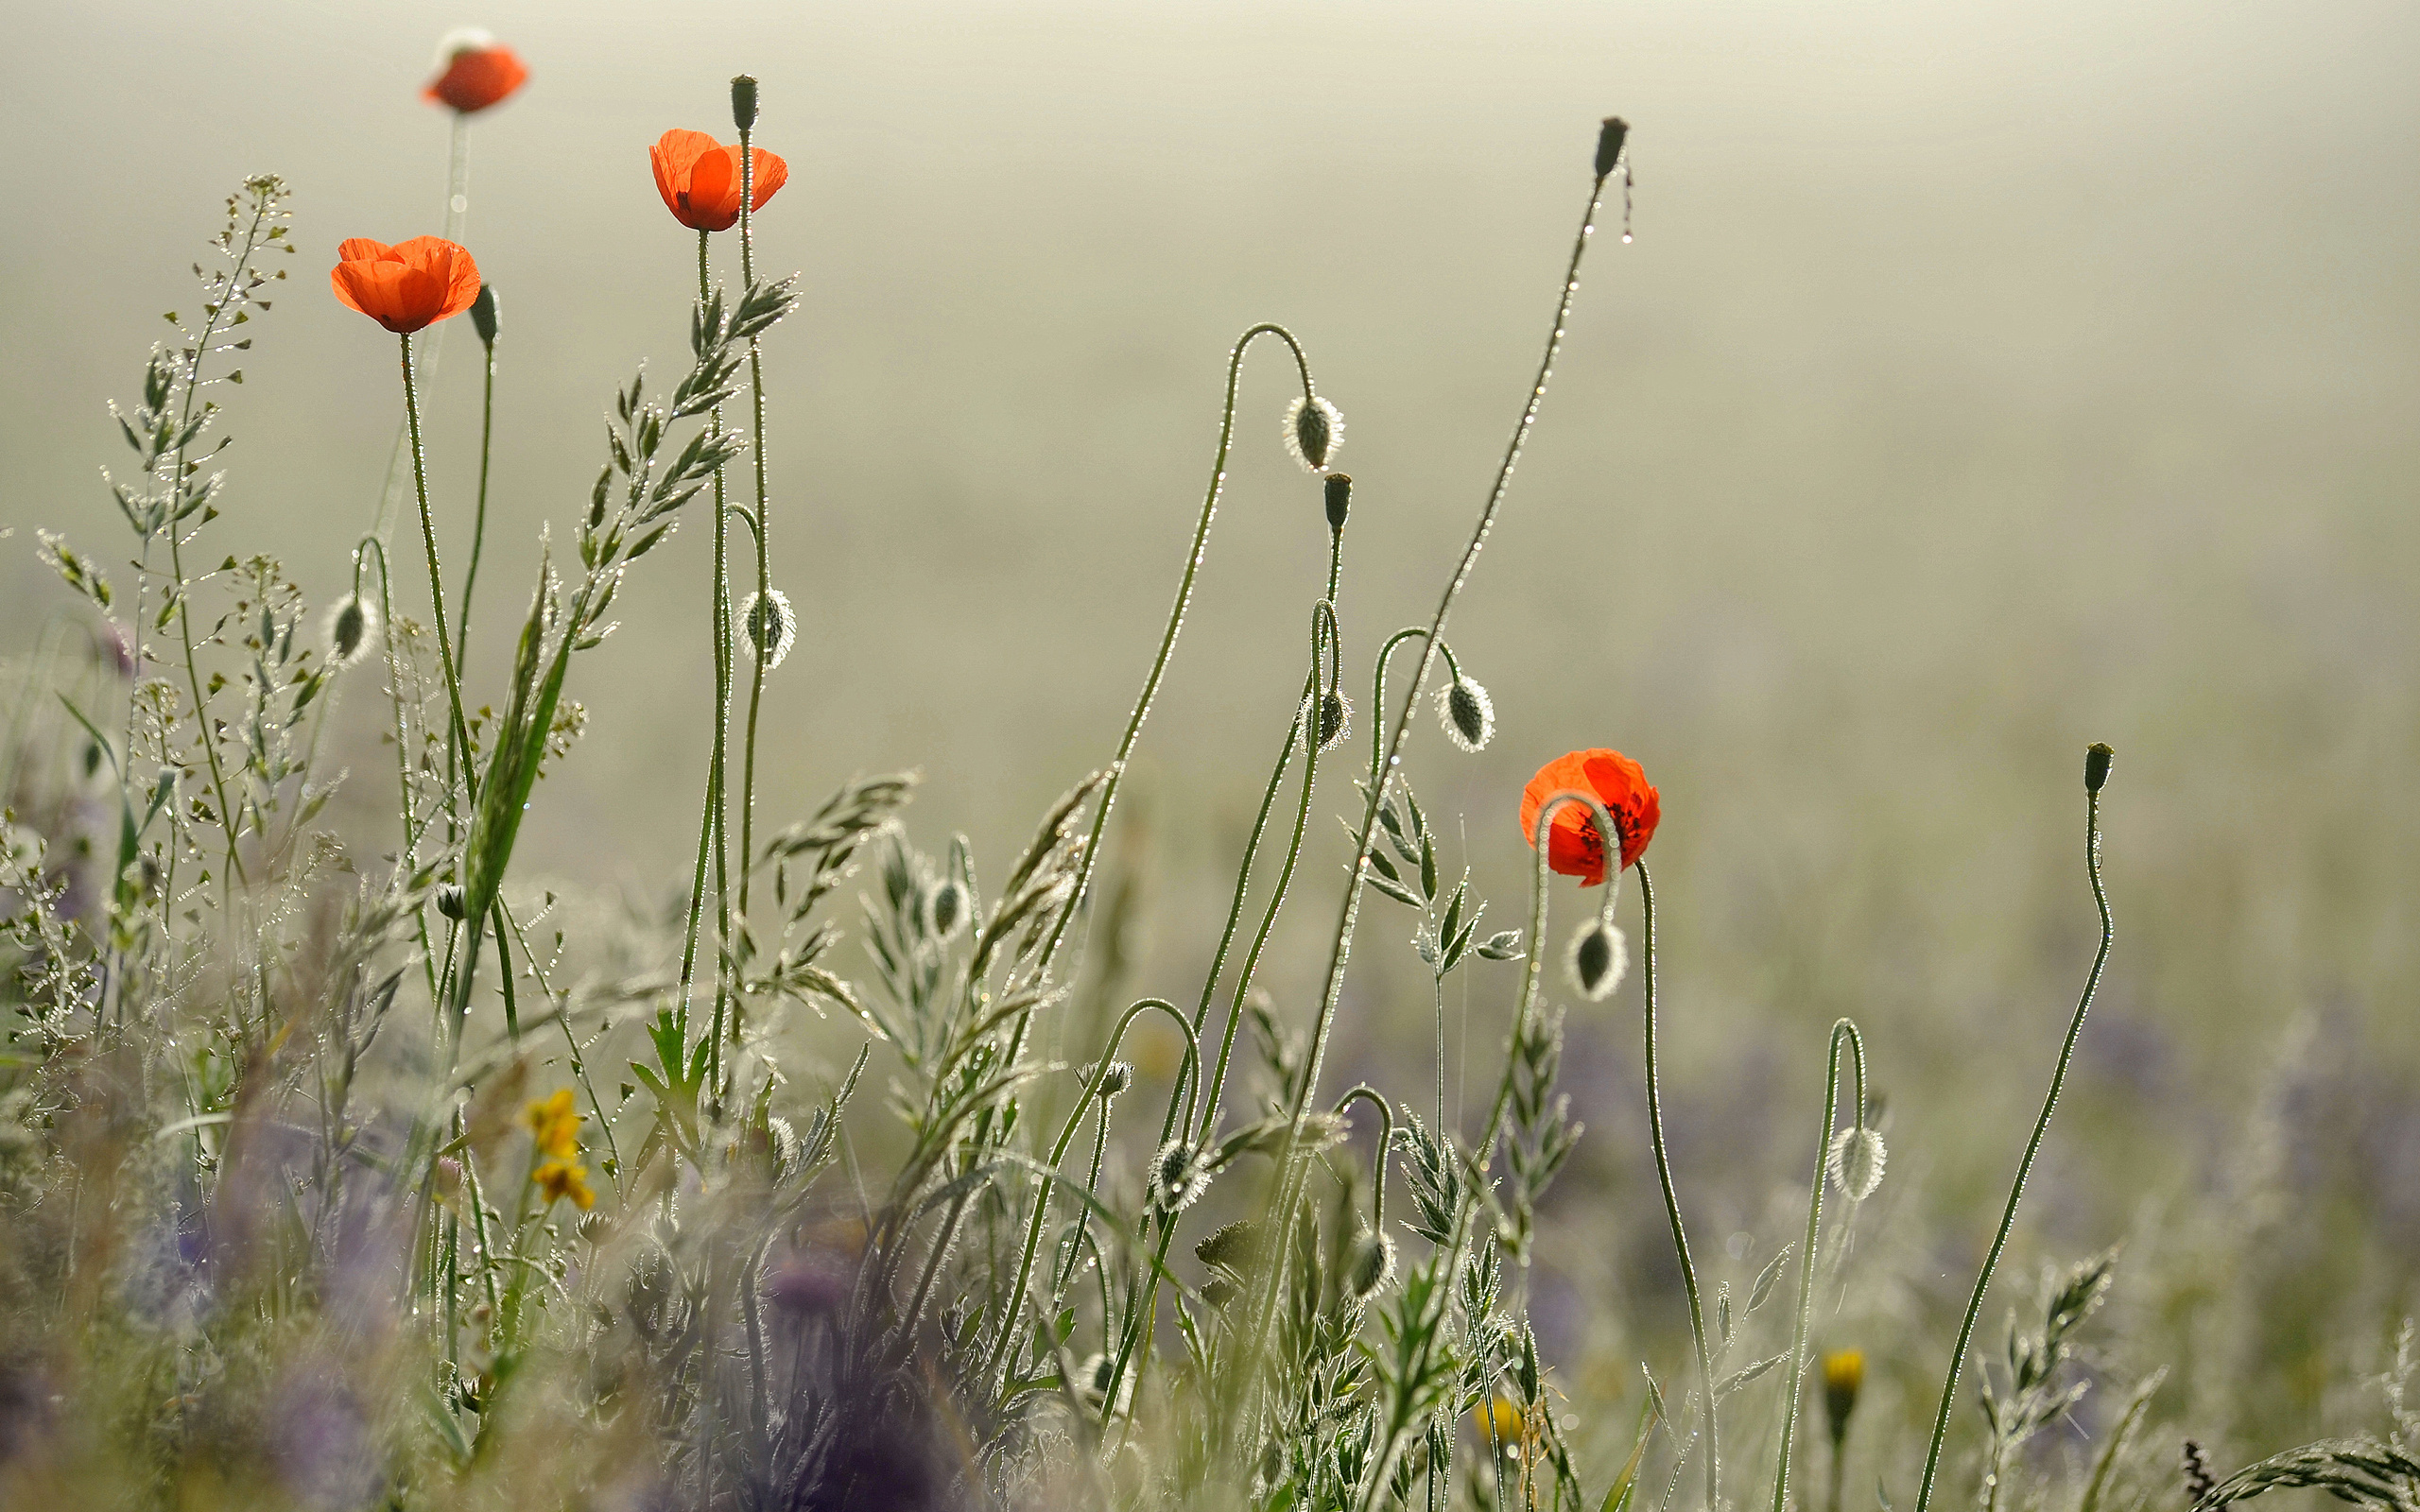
point(1983, 381)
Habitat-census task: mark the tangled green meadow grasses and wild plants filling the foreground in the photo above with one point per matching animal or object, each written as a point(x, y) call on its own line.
point(379, 1175)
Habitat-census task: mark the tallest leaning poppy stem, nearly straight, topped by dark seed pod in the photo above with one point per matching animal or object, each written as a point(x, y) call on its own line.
point(1339, 957)
